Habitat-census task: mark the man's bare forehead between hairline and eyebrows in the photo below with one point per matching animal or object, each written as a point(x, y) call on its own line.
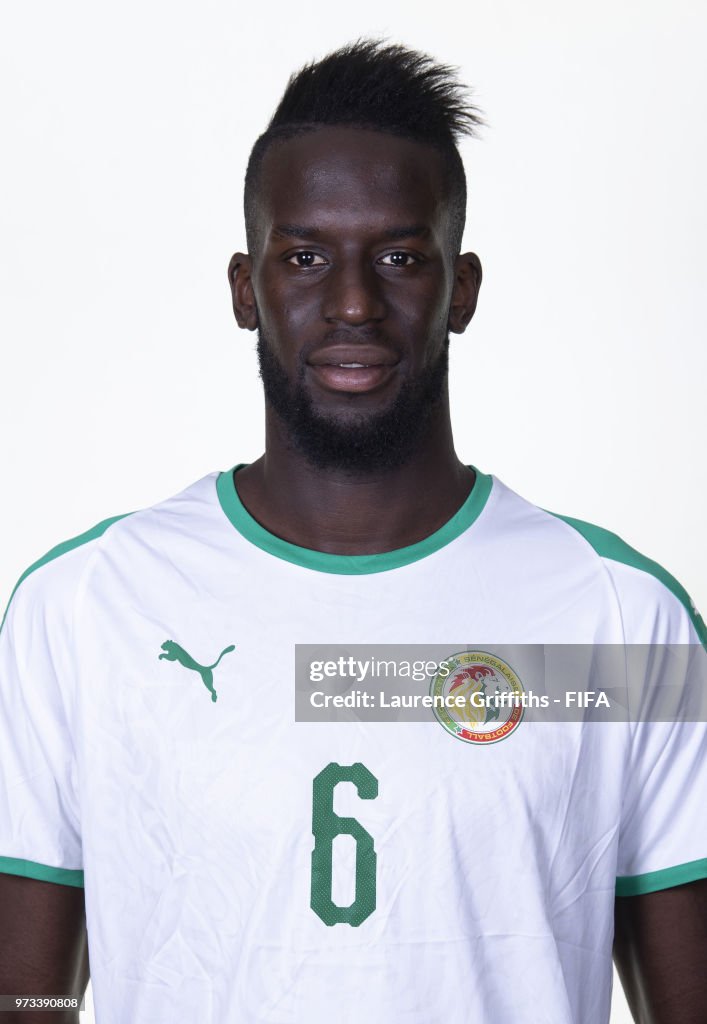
point(354, 177)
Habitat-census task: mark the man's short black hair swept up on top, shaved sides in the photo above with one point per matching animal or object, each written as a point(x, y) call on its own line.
point(381, 88)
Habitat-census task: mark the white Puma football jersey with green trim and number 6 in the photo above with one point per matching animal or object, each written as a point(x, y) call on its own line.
point(149, 752)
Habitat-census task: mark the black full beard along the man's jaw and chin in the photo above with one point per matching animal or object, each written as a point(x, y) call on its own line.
point(366, 443)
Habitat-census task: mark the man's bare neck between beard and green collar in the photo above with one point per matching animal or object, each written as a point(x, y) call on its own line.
point(341, 513)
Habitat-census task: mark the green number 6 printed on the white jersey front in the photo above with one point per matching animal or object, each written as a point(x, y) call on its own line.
point(326, 826)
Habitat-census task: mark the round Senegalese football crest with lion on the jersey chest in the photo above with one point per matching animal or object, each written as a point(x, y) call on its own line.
point(489, 693)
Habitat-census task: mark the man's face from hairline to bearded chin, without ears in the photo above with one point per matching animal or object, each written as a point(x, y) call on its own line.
point(352, 284)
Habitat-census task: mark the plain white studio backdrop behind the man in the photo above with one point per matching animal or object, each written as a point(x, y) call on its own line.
point(126, 133)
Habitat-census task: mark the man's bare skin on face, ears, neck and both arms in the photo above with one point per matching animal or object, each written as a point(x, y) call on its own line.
point(355, 188)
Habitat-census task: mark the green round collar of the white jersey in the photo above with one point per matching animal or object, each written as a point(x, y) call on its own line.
point(322, 562)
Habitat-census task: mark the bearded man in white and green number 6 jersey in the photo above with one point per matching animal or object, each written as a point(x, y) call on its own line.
point(240, 866)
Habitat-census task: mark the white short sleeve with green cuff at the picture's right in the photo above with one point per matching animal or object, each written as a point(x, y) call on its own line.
point(663, 830)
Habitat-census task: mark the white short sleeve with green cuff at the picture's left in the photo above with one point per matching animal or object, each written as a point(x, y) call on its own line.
point(40, 834)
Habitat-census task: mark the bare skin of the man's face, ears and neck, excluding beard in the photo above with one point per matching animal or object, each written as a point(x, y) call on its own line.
point(323, 183)
